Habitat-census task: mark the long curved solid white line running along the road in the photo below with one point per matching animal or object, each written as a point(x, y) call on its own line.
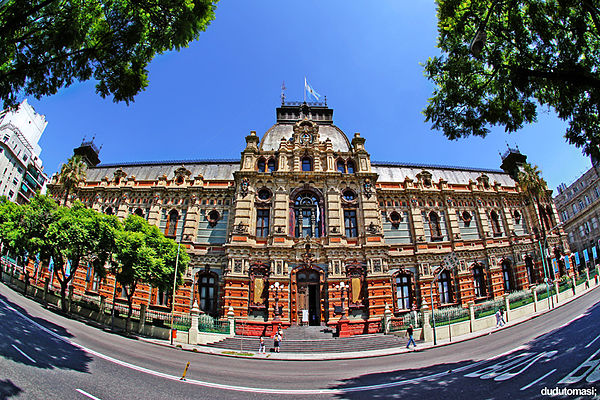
point(244, 388)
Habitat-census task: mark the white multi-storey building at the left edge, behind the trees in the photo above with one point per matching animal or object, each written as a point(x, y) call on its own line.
point(21, 168)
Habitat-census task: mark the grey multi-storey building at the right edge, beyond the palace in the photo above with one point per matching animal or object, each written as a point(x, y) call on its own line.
point(579, 208)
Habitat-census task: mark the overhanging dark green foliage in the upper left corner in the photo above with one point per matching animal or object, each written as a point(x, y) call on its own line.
point(48, 44)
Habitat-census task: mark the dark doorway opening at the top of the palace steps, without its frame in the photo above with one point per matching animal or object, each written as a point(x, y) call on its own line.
point(308, 298)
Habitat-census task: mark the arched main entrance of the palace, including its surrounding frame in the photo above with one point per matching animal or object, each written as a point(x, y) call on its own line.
point(306, 305)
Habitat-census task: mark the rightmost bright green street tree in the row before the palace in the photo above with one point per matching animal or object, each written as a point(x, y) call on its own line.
point(144, 254)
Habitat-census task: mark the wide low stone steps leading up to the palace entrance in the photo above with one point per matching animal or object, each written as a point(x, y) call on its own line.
point(313, 339)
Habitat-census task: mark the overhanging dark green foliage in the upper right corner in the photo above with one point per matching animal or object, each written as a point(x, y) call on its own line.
point(504, 59)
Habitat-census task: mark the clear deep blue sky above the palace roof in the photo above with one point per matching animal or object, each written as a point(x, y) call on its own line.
point(203, 100)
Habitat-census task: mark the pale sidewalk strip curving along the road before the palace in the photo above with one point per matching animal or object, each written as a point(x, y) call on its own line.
point(252, 343)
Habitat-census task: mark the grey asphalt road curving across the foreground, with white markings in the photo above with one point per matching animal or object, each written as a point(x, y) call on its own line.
point(45, 356)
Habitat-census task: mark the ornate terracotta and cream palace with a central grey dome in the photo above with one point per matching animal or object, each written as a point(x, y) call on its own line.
point(305, 228)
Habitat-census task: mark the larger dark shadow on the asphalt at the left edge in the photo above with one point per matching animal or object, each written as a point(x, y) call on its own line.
point(18, 335)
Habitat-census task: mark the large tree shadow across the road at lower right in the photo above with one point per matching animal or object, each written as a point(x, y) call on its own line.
point(559, 348)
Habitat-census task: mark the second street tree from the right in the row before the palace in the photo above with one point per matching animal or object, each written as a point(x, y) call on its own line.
point(80, 235)
